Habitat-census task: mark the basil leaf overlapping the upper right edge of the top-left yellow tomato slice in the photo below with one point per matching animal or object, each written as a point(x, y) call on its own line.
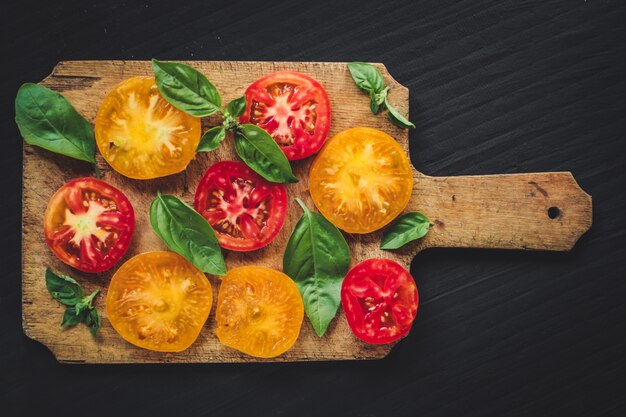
point(186, 88)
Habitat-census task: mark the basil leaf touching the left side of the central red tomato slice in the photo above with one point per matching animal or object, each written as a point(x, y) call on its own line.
point(187, 233)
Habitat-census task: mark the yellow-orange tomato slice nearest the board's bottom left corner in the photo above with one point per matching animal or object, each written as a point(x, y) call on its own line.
point(159, 301)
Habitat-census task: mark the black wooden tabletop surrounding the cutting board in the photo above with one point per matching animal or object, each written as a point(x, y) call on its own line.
point(496, 87)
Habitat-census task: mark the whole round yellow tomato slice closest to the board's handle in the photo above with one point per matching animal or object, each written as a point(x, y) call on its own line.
point(361, 180)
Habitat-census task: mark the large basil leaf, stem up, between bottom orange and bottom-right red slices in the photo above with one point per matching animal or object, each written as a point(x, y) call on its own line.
point(317, 258)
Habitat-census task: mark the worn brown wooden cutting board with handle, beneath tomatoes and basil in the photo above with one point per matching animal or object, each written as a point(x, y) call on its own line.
point(542, 211)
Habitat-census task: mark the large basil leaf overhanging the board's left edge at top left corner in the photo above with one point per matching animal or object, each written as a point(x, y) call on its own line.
point(46, 119)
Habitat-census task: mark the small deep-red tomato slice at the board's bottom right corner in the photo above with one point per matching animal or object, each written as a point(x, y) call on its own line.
point(380, 300)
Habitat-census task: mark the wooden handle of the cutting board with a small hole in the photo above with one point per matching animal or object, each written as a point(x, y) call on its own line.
point(540, 211)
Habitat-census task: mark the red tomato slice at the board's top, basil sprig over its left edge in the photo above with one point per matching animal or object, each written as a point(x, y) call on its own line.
point(293, 108)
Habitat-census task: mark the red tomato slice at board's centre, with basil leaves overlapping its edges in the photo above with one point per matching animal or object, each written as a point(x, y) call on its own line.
point(246, 211)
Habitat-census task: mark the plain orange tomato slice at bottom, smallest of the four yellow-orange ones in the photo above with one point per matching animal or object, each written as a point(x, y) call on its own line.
point(259, 311)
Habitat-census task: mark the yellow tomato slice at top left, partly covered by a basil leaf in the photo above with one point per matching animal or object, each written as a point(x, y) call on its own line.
point(141, 135)
